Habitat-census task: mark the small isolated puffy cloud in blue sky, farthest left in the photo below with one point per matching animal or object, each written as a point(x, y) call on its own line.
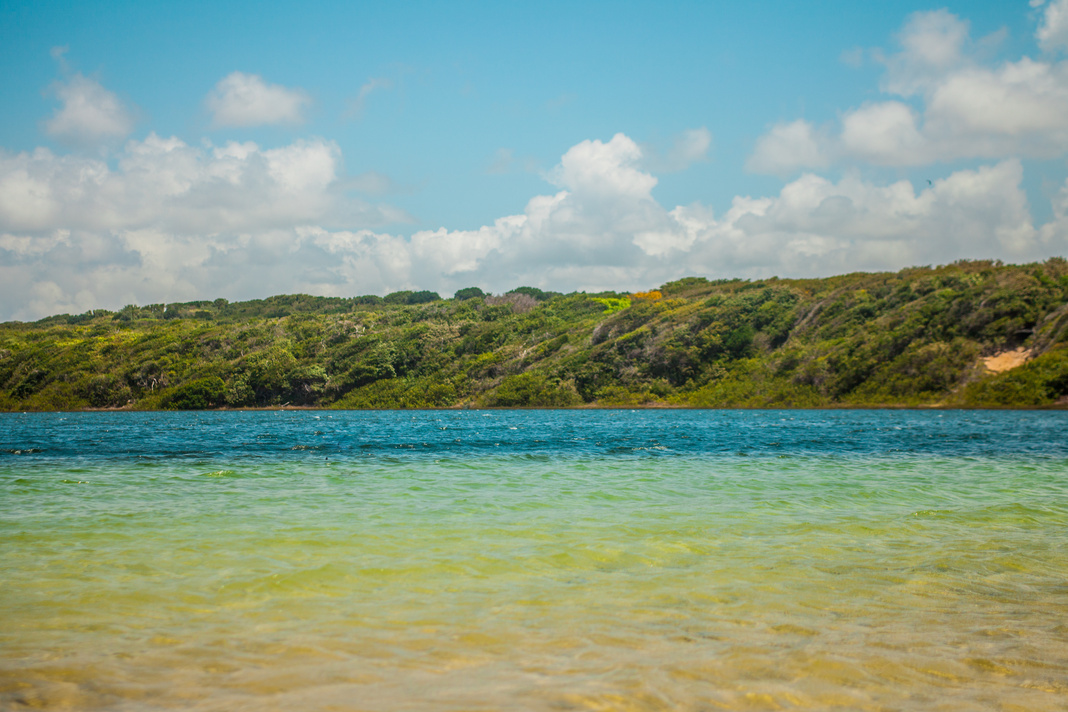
point(89, 115)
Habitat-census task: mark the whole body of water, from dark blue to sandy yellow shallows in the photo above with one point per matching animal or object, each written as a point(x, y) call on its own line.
point(535, 561)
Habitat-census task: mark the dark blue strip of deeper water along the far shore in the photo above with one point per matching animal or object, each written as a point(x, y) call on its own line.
point(612, 434)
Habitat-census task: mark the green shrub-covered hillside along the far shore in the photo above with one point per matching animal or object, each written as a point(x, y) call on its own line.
point(917, 338)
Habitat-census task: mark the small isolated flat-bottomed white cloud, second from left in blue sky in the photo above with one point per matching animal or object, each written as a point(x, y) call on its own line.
point(245, 100)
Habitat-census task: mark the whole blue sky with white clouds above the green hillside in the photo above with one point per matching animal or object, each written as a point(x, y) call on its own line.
point(158, 152)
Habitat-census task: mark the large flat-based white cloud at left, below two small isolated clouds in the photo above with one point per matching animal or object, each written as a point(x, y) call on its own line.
point(164, 184)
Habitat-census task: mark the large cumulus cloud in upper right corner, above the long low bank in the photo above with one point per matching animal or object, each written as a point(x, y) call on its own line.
point(954, 106)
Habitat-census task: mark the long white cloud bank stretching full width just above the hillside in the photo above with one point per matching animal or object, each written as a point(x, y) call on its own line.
point(172, 223)
